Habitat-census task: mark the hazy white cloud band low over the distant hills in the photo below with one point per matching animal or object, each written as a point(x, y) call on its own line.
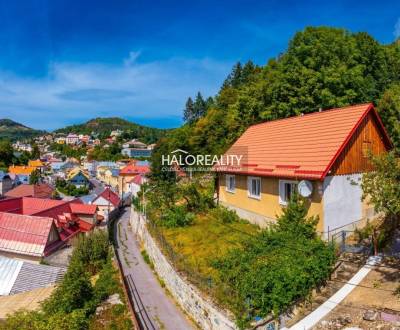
point(73, 92)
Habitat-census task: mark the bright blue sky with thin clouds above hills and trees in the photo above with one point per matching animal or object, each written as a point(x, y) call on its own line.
point(64, 62)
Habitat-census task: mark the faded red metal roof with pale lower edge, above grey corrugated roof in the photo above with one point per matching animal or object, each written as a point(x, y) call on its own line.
point(24, 234)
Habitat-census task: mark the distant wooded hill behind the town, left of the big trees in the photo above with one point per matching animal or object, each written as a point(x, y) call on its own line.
point(104, 126)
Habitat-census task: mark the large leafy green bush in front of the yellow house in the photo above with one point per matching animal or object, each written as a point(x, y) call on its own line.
point(276, 267)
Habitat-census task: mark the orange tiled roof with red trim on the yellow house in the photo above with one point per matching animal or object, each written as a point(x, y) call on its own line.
point(301, 147)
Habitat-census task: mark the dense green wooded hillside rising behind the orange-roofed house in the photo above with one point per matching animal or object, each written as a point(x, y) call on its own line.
point(322, 68)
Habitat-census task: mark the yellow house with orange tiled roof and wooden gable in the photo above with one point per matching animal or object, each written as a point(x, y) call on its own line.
point(319, 156)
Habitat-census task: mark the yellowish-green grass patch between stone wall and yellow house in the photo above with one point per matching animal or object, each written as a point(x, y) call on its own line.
point(206, 239)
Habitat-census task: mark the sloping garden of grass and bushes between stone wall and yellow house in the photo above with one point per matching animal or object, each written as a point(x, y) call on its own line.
point(251, 272)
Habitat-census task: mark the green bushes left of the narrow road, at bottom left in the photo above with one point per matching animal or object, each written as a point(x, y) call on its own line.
point(75, 299)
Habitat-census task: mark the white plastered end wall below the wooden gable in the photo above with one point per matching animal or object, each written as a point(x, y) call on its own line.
point(342, 200)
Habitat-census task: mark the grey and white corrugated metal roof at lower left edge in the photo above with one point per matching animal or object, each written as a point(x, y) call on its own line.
point(18, 276)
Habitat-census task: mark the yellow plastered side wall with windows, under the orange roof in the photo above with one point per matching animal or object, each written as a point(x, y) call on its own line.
point(268, 205)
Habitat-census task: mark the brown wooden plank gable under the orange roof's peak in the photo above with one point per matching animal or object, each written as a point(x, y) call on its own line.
point(354, 157)
